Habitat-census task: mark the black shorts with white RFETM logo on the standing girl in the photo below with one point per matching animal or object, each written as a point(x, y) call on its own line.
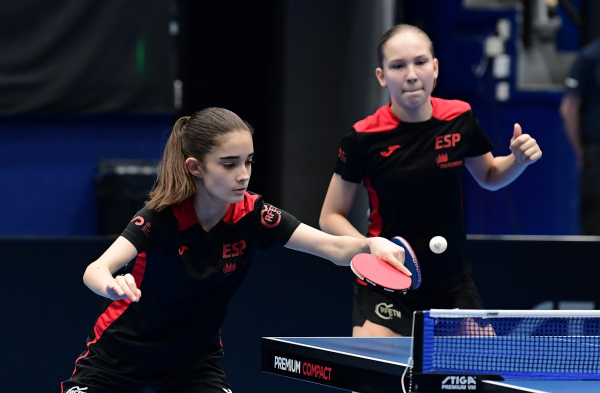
point(395, 311)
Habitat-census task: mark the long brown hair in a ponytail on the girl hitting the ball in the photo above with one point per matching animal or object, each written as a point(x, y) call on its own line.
point(192, 136)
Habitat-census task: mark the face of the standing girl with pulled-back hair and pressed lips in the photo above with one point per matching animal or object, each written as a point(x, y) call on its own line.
point(409, 69)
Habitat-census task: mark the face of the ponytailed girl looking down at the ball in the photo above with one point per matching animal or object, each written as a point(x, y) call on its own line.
point(225, 171)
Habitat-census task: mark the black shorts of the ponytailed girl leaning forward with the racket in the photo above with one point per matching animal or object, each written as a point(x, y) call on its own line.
point(95, 373)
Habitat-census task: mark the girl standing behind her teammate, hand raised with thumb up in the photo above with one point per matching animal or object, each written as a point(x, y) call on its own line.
point(410, 156)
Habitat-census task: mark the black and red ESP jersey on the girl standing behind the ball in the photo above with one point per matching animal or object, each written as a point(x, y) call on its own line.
point(413, 175)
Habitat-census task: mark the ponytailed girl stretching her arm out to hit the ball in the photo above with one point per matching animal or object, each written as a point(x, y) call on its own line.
point(183, 257)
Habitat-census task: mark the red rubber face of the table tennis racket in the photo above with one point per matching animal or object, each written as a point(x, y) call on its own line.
point(379, 273)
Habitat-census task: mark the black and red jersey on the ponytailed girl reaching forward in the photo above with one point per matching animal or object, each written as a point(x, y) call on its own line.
point(186, 276)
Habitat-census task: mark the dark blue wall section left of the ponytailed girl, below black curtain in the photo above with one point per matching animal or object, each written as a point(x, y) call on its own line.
point(47, 166)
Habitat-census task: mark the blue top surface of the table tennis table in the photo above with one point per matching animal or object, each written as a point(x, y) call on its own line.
point(397, 350)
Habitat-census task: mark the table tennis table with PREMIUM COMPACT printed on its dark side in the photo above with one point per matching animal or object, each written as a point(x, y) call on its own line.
point(377, 365)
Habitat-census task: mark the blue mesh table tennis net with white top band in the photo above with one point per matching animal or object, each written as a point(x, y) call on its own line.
point(513, 344)
